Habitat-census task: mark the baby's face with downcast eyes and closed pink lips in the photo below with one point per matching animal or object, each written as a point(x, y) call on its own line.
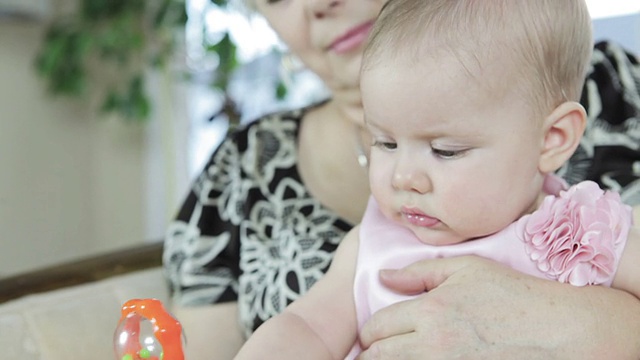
point(451, 160)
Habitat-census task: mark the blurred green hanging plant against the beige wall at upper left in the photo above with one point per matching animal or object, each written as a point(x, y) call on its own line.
point(115, 39)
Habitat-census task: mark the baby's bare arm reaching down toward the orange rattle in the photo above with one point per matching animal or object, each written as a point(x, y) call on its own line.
point(321, 324)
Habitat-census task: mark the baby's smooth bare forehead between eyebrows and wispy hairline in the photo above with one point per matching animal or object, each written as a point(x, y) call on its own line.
point(474, 81)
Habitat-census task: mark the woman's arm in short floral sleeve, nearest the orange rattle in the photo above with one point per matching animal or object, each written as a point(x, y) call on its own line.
point(201, 262)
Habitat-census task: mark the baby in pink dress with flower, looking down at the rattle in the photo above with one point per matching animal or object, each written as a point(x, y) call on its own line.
point(472, 106)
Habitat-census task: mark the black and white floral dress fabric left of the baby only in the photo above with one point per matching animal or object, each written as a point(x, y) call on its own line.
point(249, 230)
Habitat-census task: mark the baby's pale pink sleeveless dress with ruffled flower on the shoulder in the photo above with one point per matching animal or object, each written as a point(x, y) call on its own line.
point(576, 236)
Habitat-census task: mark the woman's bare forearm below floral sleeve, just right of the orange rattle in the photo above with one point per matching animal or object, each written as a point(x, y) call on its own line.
point(211, 331)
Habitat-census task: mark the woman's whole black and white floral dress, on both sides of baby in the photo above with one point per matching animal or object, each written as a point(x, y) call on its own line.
point(249, 230)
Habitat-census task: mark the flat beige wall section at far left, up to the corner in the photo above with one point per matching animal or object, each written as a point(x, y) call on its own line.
point(45, 162)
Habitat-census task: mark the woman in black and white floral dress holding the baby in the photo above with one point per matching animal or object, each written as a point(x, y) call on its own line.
point(266, 214)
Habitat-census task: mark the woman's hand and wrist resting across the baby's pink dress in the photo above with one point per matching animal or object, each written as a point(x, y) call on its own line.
point(476, 309)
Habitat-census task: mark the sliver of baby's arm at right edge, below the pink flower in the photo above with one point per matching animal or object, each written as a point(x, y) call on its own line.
point(628, 275)
